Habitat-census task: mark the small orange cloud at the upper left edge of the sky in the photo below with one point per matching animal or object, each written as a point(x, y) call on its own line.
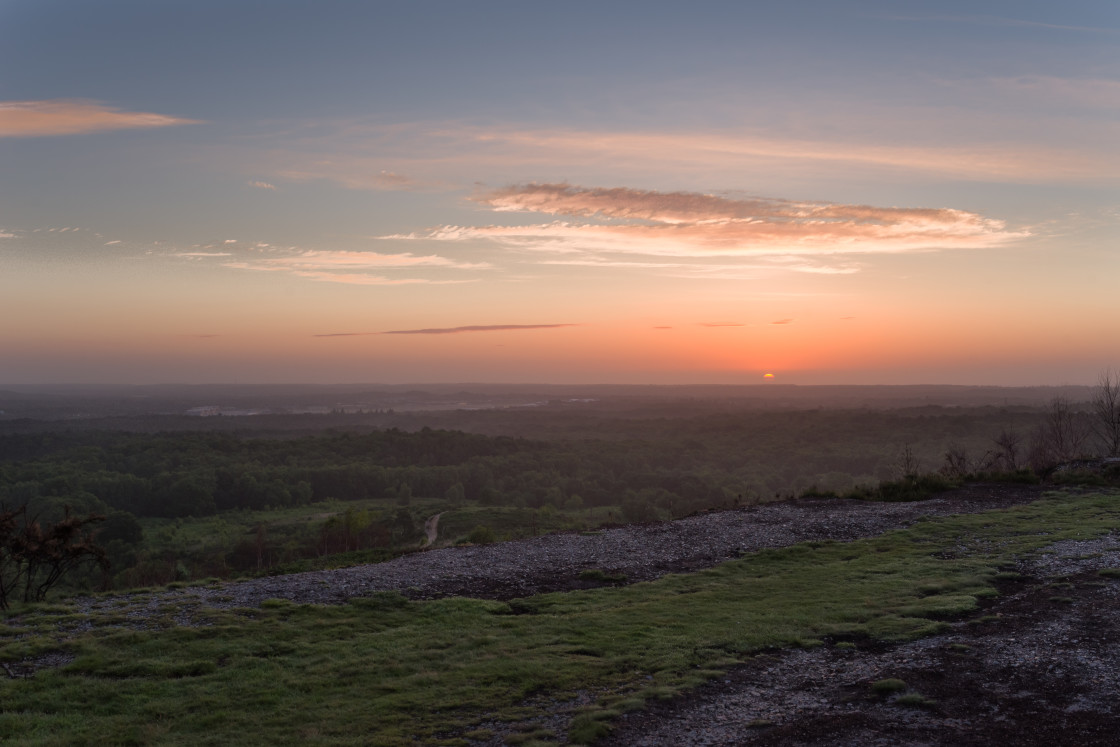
point(31, 119)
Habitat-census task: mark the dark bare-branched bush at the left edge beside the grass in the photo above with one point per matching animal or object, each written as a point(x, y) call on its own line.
point(35, 557)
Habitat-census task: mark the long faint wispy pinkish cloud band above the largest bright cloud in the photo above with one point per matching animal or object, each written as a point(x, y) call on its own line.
point(446, 155)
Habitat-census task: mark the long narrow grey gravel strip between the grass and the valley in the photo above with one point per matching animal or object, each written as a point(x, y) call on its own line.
point(554, 563)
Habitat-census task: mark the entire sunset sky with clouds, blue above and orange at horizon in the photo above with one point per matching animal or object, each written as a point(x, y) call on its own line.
point(828, 192)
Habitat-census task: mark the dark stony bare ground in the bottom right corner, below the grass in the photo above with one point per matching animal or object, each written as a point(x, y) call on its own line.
point(1040, 666)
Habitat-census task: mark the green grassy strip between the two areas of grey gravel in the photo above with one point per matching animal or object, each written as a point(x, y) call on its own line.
point(389, 671)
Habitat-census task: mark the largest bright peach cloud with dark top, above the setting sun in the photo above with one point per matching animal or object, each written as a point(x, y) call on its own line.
point(683, 225)
